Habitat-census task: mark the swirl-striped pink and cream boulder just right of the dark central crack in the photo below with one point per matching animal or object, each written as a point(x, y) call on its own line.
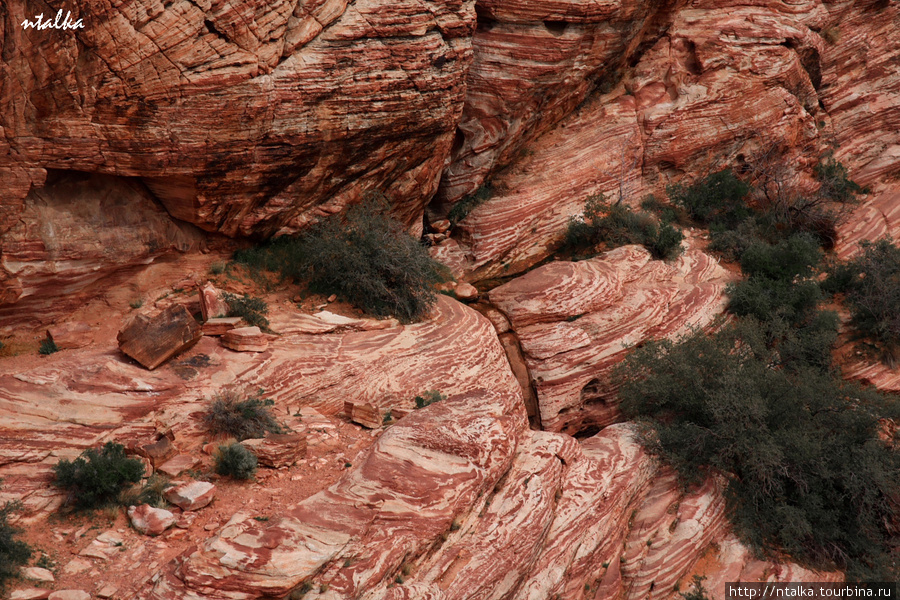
point(576, 320)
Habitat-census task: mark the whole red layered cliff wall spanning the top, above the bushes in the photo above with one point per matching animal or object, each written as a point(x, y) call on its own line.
point(253, 120)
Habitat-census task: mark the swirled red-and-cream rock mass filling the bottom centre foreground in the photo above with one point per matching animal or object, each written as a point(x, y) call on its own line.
point(540, 515)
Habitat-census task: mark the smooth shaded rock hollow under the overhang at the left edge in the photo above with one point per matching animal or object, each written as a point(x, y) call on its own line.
point(72, 232)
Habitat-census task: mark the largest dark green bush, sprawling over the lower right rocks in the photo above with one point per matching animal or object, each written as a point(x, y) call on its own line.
point(807, 471)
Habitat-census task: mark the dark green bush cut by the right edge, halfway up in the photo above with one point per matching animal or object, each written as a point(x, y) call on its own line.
point(871, 282)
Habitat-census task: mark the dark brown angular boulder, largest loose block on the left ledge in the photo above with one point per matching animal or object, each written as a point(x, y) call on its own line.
point(153, 340)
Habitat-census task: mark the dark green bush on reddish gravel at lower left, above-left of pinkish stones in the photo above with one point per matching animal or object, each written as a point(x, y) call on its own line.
point(96, 479)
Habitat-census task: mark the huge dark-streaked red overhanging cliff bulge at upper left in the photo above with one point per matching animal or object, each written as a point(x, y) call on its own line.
point(247, 118)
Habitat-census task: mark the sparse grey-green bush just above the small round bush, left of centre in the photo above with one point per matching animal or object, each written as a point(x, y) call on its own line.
point(234, 413)
